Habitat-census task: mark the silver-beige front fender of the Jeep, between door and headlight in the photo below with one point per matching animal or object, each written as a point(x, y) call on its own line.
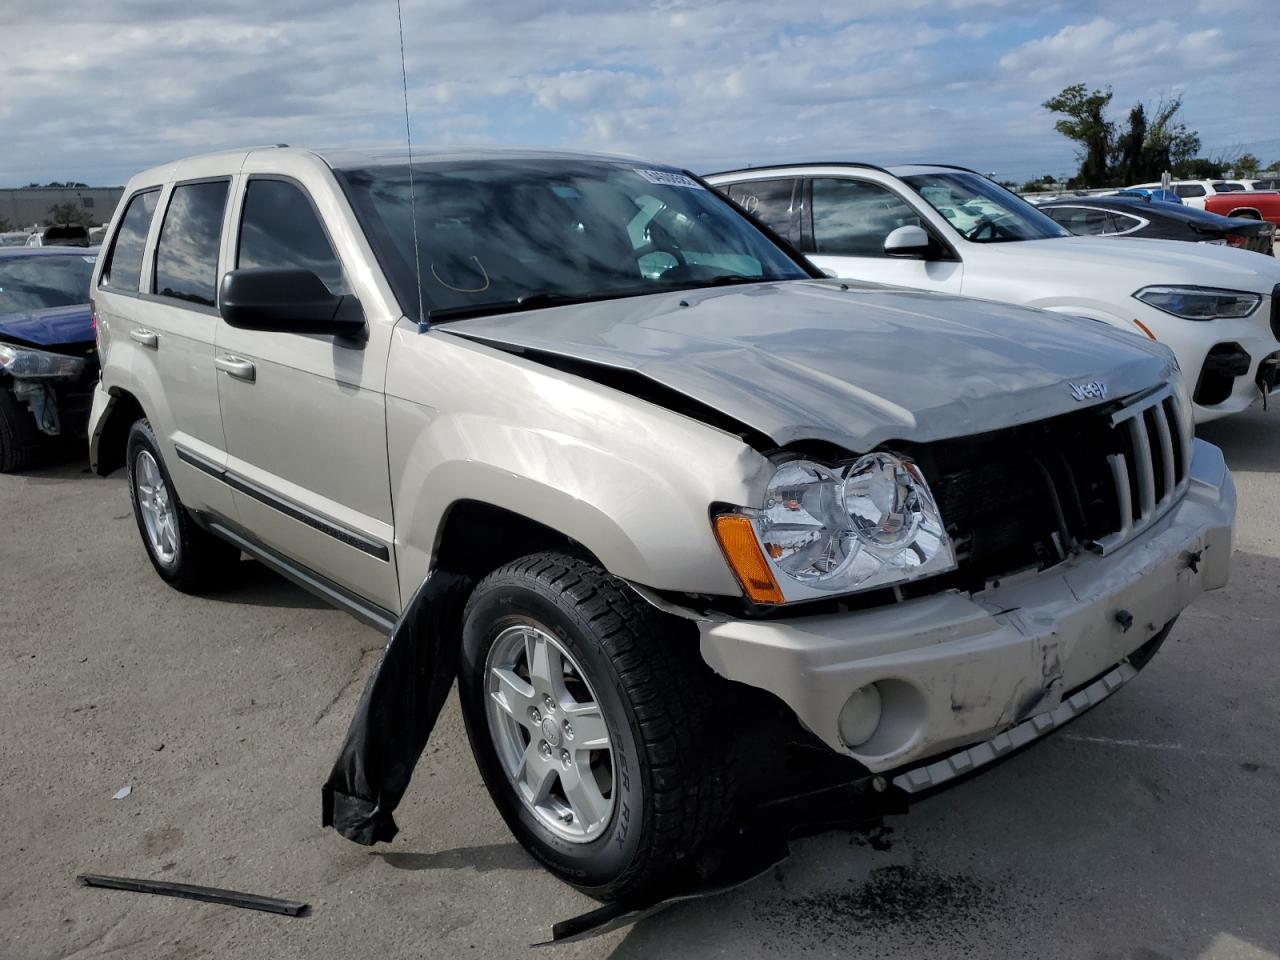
point(625, 478)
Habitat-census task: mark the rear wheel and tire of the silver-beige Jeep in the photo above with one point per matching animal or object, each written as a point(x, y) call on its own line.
point(186, 556)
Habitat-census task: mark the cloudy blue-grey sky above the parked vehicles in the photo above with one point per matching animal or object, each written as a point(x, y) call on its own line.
point(97, 90)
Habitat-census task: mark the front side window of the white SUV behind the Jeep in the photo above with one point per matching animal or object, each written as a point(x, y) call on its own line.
point(853, 218)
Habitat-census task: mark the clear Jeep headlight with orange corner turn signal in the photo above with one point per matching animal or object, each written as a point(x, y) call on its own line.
point(826, 532)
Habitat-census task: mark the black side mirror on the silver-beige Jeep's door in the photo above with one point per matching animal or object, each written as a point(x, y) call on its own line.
point(287, 301)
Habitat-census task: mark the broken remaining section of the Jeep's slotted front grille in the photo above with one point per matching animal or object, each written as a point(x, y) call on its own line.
point(1151, 470)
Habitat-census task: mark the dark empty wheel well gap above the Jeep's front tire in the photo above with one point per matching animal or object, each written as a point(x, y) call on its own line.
point(478, 538)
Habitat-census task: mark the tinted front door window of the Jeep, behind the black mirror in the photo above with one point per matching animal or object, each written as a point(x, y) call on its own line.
point(281, 228)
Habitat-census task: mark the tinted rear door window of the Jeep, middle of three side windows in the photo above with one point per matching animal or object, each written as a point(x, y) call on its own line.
point(188, 250)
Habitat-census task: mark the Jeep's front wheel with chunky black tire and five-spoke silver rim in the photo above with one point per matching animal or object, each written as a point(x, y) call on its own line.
point(670, 762)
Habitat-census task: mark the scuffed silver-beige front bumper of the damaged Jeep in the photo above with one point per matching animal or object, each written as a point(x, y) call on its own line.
point(956, 670)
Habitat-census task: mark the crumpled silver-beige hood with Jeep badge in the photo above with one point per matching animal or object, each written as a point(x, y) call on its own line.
point(808, 360)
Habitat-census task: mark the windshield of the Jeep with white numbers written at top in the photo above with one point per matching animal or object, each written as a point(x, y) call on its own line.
point(499, 232)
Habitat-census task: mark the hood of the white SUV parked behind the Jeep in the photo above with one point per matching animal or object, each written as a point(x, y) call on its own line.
point(1142, 263)
